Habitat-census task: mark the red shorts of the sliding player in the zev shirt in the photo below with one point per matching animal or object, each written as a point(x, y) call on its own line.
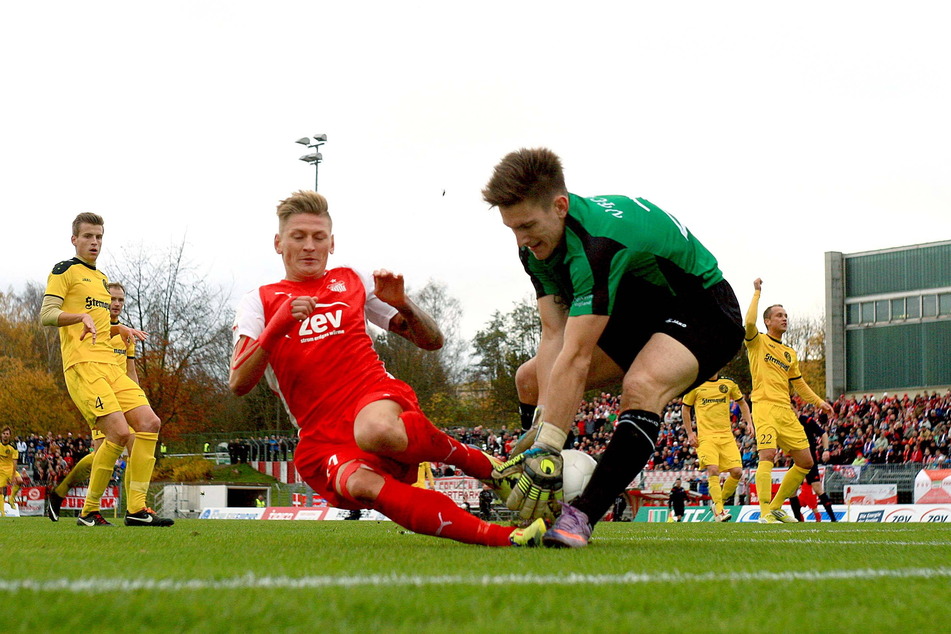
point(318, 462)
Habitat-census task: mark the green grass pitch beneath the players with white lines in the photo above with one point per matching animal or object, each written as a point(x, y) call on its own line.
point(300, 576)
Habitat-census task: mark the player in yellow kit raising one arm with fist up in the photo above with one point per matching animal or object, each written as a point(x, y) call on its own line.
point(775, 368)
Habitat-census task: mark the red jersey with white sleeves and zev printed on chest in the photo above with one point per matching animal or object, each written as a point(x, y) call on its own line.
point(327, 362)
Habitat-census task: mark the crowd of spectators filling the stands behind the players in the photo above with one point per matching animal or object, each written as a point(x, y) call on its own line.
point(866, 430)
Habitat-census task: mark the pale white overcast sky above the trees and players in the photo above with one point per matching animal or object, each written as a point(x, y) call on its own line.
point(774, 131)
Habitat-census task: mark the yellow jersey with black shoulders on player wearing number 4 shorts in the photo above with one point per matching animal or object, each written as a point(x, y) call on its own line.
point(83, 290)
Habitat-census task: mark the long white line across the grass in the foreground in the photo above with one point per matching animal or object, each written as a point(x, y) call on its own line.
point(98, 585)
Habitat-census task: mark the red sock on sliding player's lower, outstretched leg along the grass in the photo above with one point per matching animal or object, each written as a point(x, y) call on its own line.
point(432, 513)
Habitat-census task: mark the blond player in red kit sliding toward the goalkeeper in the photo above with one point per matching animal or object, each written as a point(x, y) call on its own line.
point(362, 433)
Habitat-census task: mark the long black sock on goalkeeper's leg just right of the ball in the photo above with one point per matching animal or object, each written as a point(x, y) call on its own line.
point(630, 448)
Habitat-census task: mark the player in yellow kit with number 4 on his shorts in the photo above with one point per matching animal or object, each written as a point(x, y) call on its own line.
point(77, 302)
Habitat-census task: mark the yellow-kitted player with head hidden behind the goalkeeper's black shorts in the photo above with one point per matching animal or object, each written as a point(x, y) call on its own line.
point(709, 403)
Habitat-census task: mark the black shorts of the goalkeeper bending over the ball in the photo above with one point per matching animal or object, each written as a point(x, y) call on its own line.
point(705, 320)
